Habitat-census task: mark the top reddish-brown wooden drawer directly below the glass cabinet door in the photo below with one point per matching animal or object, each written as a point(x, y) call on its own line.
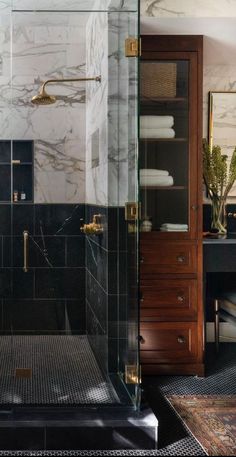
point(170, 257)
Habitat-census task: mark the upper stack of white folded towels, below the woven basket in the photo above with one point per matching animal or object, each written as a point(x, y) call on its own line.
point(157, 127)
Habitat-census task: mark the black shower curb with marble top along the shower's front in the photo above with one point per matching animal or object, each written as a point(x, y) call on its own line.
point(87, 428)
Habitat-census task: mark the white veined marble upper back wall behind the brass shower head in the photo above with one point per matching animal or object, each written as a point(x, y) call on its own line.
point(46, 46)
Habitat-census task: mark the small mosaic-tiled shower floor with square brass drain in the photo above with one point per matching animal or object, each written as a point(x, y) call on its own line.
point(64, 371)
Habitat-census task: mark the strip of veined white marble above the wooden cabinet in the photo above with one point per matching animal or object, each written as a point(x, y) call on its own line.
point(189, 8)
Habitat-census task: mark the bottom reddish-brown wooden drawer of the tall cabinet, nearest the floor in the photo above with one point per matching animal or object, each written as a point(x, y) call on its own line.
point(168, 342)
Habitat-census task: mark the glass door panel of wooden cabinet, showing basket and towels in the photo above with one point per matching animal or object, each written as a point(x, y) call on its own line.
point(164, 161)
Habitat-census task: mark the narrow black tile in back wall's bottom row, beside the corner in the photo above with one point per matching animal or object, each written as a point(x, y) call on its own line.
point(76, 316)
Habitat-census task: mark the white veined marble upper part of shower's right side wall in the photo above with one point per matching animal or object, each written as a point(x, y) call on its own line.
point(111, 112)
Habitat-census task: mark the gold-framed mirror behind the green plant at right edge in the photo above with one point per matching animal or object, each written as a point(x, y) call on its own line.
point(222, 124)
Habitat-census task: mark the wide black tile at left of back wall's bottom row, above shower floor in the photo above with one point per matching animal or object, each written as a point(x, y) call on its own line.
point(34, 315)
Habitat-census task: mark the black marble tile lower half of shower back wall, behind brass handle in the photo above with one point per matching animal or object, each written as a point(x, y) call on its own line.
point(50, 297)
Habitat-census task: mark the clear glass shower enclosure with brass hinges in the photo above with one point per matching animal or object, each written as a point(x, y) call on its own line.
point(68, 204)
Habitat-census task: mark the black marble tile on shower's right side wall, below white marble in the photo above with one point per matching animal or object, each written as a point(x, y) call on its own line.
point(107, 287)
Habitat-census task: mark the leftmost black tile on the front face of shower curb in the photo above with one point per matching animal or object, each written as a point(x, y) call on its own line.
point(30, 438)
